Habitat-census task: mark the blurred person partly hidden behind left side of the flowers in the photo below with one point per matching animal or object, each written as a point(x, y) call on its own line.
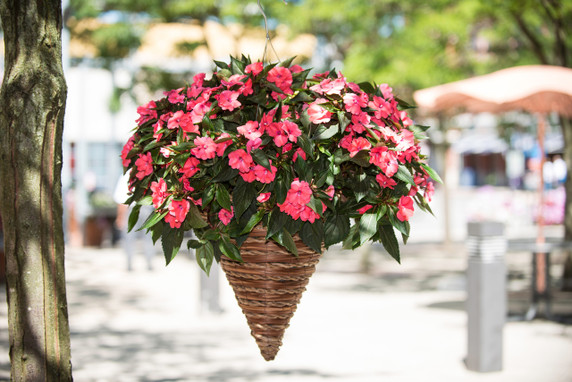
point(130, 239)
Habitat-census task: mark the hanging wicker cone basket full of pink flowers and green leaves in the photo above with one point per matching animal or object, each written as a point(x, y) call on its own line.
point(269, 167)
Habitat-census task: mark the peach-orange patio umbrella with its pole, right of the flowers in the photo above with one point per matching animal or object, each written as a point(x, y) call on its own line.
point(539, 89)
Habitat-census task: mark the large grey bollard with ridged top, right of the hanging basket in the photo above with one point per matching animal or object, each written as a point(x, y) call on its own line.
point(486, 295)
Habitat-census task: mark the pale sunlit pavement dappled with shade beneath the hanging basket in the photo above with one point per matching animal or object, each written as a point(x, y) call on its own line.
point(400, 323)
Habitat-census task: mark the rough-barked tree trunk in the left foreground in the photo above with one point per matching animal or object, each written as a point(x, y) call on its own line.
point(33, 98)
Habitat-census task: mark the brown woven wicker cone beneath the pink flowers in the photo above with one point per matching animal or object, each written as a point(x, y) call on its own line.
point(268, 286)
